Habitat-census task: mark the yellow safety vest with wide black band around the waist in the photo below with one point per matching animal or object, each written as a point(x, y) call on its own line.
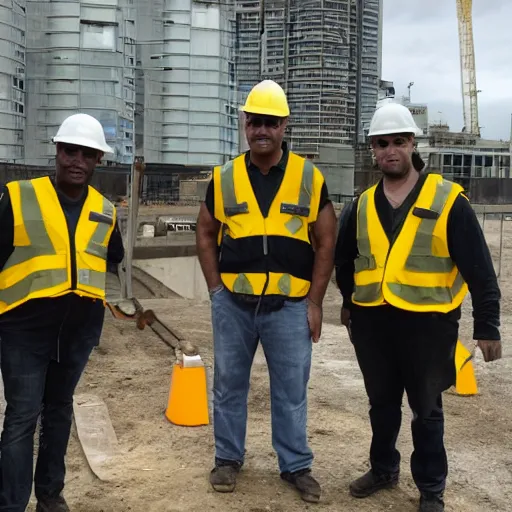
point(269, 255)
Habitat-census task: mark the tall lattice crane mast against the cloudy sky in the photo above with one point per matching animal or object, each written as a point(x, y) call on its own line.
point(467, 65)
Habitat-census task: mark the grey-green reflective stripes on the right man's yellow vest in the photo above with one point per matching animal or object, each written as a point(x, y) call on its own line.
point(420, 259)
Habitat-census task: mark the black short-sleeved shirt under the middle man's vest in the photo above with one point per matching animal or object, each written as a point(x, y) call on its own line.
point(265, 186)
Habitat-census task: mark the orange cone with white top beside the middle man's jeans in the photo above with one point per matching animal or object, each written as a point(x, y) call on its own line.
point(188, 395)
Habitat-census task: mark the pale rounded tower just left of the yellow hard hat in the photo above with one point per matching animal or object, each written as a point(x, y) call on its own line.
point(186, 105)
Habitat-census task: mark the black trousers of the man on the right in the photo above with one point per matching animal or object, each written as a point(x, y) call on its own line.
point(401, 351)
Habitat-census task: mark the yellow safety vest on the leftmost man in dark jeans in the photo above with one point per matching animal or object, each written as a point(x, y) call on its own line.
point(42, 262)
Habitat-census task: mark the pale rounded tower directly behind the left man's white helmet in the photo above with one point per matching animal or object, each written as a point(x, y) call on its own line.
point(80, 58)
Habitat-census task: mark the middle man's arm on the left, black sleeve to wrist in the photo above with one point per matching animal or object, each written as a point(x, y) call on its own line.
point(207, 230)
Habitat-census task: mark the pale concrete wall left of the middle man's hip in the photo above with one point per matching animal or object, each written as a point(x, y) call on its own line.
point(182, 275)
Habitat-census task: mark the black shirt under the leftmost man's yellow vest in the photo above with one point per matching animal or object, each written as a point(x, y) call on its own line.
point(47, 312)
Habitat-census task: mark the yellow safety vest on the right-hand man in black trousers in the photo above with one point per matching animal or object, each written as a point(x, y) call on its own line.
point(416, 273)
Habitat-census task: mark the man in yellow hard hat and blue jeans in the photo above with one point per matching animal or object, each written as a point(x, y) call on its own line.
point(254, 242)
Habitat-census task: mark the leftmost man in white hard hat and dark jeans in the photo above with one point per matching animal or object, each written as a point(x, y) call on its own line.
point(58, 236)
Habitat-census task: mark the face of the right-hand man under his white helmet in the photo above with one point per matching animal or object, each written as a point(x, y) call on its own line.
point(393, 154)
